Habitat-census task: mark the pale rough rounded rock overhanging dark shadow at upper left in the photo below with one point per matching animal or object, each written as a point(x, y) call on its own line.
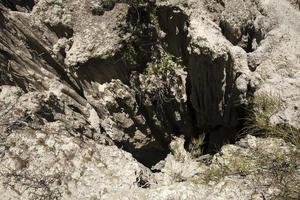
point(93, 36)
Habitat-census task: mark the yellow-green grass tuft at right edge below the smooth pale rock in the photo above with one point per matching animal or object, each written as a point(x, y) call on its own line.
point(264, 106)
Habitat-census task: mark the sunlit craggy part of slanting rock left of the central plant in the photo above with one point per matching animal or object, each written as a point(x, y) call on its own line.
point(121, 118)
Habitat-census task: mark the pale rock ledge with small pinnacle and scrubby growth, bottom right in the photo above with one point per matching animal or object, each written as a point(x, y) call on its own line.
point(231, 174)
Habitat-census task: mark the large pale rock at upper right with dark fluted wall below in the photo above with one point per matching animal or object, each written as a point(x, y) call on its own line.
point(229, 50)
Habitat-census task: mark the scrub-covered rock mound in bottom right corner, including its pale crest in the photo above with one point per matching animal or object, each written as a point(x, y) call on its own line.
point(268, 163)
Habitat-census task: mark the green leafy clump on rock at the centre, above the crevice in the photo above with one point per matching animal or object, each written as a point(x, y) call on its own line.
point(158, 79)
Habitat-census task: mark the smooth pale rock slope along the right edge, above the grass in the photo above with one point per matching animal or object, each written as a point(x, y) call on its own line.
point(278, 61)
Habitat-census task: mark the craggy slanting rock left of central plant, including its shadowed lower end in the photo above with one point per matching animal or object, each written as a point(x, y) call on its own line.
point(123, 121)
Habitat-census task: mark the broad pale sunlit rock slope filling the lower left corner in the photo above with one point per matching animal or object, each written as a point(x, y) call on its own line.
point(50, 150)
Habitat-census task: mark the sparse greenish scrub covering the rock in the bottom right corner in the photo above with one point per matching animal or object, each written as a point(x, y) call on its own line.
point(277, 169)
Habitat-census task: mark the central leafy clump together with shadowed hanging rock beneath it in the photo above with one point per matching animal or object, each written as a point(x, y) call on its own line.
point(161, 89)
